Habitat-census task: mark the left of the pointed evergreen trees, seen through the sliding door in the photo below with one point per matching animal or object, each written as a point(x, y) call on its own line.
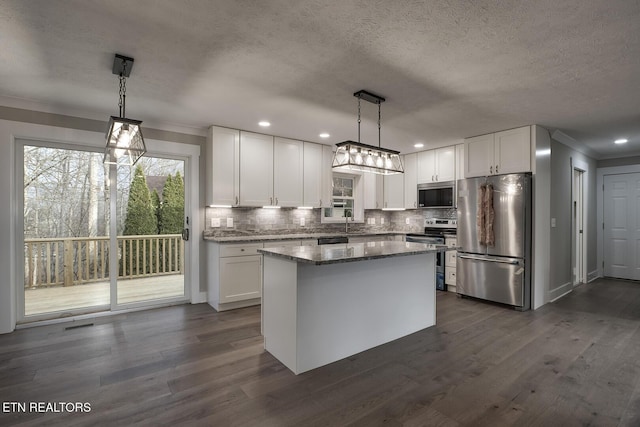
point(141, 218)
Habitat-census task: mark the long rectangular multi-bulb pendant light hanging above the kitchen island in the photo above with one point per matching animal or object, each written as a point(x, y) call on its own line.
point(367, 158)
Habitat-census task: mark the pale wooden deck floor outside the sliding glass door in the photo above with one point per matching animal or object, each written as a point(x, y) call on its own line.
point(60, 298)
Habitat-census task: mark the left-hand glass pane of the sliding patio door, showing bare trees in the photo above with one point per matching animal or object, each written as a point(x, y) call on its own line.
point(66, 237)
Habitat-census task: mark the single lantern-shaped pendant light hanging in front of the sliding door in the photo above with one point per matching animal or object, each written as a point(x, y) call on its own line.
point(125, 144)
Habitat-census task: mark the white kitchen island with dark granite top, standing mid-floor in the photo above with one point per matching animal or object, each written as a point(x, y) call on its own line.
point(321, 304)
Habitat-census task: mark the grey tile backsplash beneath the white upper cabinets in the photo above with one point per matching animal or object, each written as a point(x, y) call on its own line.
point(289, 220)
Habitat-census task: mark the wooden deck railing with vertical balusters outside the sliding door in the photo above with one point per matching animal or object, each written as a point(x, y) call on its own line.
point(77, 260)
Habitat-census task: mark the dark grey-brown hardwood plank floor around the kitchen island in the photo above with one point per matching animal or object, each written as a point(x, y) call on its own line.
point(575, 362)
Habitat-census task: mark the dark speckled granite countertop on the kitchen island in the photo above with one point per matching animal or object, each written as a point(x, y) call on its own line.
point(349, 252)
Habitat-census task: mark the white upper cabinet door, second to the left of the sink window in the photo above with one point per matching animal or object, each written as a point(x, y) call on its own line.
point(287, 172)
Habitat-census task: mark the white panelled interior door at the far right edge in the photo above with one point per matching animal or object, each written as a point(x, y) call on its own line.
point(621, 226)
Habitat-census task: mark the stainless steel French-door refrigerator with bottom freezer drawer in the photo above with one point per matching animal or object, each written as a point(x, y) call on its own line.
point(497, 269)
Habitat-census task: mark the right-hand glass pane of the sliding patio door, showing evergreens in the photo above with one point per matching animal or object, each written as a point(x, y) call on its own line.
point(150, 219)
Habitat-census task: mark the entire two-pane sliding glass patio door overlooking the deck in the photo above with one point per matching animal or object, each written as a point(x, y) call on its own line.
point(99, 237)
